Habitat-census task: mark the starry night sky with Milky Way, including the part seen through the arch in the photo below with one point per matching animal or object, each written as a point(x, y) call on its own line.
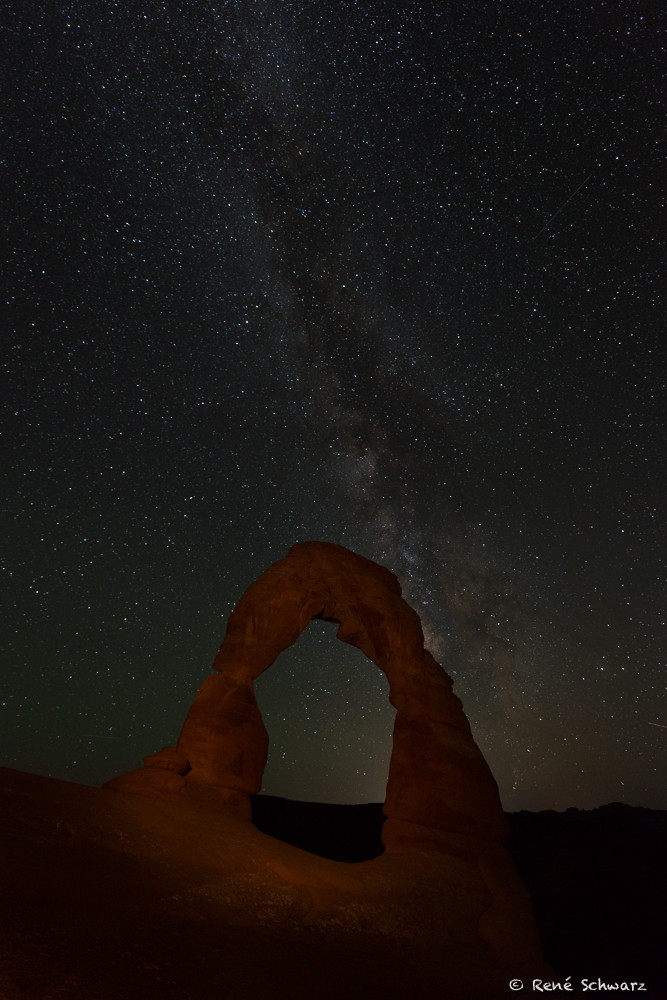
point(380, 274)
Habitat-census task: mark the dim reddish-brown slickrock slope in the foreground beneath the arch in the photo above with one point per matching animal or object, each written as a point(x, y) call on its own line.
point(109, 895)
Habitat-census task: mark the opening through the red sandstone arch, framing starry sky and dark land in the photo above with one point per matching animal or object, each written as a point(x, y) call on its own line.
point(326, 709)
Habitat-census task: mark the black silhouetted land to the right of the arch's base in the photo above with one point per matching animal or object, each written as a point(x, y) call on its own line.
point(598, 880)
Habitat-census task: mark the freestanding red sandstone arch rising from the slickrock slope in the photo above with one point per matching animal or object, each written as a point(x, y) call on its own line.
point(439, 784)
